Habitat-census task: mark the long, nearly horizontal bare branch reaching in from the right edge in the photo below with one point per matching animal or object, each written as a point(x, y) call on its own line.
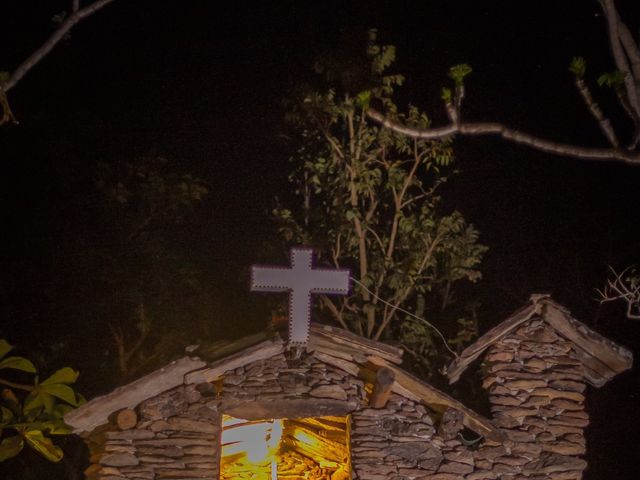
point(522, 138)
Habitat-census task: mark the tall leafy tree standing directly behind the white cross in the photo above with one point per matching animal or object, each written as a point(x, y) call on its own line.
point(370, 201)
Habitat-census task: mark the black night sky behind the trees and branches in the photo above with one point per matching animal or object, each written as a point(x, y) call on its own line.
point(203, 85)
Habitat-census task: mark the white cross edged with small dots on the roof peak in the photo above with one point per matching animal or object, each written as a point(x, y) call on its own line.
point(301, 280)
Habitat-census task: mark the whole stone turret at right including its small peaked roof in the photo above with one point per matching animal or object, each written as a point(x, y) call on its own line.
point(536, 370)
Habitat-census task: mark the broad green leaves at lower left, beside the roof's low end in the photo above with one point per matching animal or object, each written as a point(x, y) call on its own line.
point(31, 413)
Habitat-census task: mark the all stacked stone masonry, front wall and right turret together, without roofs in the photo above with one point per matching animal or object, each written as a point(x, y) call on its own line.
point(533, 377)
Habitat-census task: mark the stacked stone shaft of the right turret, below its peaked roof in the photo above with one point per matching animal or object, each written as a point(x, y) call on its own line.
point(536, 390)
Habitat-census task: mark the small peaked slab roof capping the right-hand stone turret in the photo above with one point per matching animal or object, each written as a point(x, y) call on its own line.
point(602, 359)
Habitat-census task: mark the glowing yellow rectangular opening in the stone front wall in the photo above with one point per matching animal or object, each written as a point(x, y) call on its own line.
point(307, 448)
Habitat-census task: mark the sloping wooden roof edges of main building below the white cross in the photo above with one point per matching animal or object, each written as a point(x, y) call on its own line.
point(354, 354)
